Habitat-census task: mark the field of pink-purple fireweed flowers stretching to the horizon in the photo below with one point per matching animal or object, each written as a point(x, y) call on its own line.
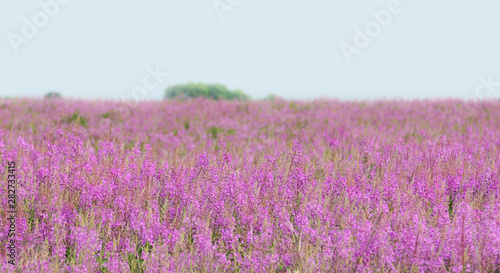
point(259, 186)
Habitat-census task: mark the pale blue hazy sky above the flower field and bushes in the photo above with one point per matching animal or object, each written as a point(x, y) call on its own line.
point(294, 49)
